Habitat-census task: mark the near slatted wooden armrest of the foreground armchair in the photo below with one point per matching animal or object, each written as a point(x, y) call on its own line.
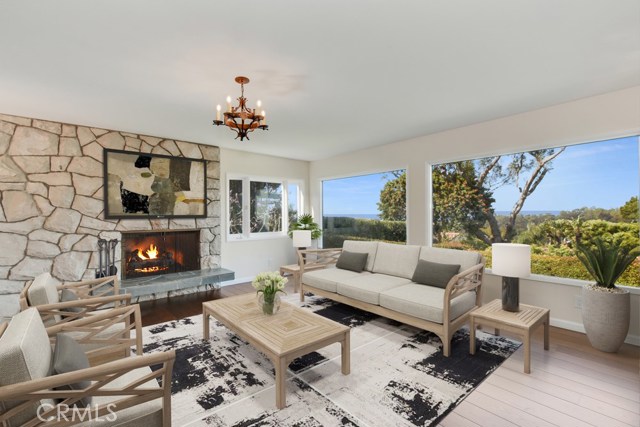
point(102, 377)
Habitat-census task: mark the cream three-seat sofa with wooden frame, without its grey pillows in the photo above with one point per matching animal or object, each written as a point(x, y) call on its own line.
point(385, 286)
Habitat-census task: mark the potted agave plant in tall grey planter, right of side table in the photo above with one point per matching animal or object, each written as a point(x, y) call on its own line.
point(605, 307)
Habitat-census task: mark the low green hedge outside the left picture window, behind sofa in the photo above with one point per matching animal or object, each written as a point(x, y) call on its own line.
point(339, 229)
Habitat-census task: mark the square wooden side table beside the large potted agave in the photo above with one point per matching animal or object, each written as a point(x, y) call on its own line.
point(520, 323)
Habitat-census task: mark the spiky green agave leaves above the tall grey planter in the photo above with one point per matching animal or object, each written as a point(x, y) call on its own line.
point(606, 260)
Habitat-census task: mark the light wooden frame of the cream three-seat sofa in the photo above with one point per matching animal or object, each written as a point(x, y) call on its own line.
point(465, 281)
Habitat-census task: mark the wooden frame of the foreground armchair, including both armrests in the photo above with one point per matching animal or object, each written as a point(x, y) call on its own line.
point(101, 374)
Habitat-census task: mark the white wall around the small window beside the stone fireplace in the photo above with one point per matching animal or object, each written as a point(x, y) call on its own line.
point(249, 257)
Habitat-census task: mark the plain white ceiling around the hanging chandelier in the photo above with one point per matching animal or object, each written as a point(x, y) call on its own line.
point(334, 75)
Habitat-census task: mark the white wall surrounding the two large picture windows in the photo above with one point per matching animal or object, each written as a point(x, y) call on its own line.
point(596, 118)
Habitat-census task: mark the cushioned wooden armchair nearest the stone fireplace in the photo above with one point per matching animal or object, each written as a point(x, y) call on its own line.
point(70, 301)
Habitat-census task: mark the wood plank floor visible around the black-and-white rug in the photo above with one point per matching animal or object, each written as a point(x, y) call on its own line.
point(570, 385)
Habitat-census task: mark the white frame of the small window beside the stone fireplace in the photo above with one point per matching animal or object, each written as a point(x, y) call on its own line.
point(246, 206)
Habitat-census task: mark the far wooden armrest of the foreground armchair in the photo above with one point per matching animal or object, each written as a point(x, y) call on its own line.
point(97, 332)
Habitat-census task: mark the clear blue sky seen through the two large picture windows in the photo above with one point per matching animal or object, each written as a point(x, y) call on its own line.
point(601, 174)
